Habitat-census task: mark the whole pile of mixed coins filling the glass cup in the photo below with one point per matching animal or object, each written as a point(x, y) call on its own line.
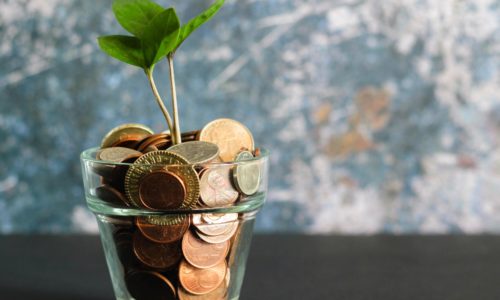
point(177, 255)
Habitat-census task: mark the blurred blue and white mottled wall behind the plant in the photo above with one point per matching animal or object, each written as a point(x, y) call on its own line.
point(382, 116)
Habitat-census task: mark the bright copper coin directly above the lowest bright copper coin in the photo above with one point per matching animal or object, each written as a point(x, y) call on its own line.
point(201, 254)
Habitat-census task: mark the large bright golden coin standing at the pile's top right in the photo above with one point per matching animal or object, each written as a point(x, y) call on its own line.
point(229, 135)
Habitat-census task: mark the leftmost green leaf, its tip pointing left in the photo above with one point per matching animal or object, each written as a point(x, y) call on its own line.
point(125, 48)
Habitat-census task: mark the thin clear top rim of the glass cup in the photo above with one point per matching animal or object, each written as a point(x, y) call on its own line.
point(88, 155)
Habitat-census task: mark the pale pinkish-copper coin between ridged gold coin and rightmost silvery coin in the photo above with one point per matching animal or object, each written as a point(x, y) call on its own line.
point(216, 188)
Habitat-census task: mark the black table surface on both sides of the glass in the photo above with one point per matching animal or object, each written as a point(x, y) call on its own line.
point(279, 267)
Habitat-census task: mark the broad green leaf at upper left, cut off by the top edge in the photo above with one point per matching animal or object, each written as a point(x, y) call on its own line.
point(134, 15)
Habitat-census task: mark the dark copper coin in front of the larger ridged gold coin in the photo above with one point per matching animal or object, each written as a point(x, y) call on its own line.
point(161, 190)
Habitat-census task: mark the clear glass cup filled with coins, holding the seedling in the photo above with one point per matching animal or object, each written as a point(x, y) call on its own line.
point(197, 250)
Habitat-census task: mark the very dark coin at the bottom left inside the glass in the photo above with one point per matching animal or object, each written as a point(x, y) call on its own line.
point(144, 285)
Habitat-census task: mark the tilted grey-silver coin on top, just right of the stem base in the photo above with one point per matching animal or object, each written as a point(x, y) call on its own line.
point(196, 152)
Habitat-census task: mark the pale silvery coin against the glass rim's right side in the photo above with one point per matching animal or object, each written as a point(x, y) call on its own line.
point(246, 173)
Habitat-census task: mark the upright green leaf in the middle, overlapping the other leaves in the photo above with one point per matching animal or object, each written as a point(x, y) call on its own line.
point(160, 36)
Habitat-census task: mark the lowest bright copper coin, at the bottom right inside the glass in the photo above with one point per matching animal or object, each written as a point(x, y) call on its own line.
point(201, 281)
